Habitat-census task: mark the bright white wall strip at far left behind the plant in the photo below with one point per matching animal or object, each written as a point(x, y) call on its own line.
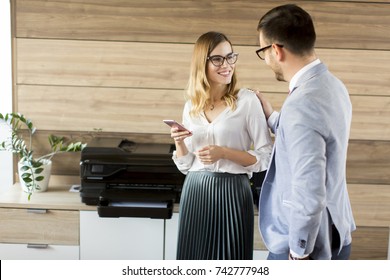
point(6, 178)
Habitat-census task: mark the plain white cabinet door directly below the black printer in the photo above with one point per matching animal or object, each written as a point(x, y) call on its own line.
point(120, 238)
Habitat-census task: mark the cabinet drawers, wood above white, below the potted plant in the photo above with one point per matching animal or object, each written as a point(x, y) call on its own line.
point(39, 234)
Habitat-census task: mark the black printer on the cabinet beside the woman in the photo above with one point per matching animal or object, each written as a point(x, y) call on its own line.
point(128, 179)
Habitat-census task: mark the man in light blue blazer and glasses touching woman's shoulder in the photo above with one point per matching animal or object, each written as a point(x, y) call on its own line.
point(305, 212)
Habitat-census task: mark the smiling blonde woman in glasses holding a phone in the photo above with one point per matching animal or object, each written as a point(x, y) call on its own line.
point(216, 207)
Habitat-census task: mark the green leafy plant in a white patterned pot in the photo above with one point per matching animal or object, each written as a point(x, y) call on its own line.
point(34, 173)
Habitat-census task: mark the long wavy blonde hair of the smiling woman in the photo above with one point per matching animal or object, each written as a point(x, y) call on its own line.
point(198, 89)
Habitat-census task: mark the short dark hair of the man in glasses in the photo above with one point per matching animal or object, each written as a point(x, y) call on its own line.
point(290, 26)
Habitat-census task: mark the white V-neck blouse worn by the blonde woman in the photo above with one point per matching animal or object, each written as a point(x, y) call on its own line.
point(243, 129)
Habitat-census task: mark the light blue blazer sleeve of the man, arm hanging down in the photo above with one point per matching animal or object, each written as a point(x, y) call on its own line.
point(306, 150)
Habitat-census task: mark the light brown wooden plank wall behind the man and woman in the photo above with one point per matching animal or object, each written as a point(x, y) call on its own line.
point(122, 66)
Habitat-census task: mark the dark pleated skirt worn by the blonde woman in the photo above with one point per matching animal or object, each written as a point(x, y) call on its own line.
point(216, 217)
